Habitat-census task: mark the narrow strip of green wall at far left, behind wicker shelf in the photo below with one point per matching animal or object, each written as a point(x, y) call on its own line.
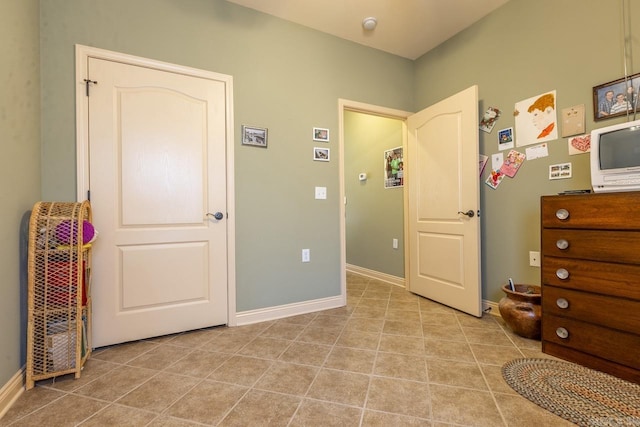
point(19, 169)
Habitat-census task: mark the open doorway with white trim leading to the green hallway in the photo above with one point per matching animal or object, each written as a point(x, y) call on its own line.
point(372, 223)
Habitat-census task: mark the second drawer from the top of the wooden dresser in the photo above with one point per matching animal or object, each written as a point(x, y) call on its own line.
point(613, 246)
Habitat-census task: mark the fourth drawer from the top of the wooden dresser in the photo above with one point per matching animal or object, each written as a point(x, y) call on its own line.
point(616, 313)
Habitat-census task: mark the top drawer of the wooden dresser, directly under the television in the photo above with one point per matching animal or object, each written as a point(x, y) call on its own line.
point(612, 211)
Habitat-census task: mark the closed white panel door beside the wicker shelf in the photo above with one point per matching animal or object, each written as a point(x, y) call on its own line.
point(157, 174)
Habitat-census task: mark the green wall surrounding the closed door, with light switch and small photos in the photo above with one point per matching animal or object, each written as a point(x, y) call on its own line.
point(287, 78)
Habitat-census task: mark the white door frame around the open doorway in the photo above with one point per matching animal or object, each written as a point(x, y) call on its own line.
point(374, 110)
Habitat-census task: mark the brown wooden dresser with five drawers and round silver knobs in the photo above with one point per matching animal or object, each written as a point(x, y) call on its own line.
point(591, 281)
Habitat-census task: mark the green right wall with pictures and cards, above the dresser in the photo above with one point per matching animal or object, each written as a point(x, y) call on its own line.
point(521, 50)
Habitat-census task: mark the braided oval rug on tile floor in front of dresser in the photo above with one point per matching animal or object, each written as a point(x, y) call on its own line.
point(581, 395)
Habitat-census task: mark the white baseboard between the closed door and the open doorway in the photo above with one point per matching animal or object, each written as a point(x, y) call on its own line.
point(288, 310)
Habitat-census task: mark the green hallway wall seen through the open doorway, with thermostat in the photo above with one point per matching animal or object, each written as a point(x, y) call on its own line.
point(374, 214)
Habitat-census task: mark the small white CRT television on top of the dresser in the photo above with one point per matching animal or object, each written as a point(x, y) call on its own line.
point(615, 158)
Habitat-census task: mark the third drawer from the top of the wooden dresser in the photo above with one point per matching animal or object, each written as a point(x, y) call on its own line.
point(620, 280)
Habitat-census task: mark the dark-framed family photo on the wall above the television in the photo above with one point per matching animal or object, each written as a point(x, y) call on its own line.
point(616, 98)
